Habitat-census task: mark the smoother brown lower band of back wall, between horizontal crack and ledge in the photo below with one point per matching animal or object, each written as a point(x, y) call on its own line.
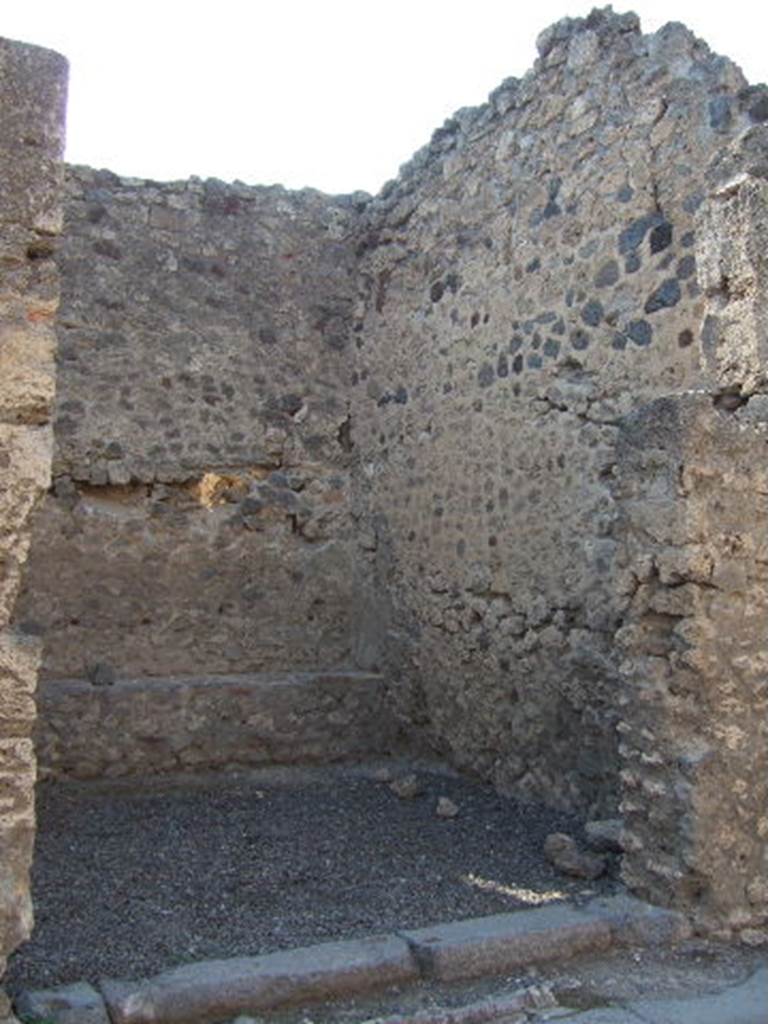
point(162, 580)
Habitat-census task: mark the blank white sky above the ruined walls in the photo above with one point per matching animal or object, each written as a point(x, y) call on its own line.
point(332, 94)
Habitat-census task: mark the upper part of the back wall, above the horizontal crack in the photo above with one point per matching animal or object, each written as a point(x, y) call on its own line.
point(203, 326)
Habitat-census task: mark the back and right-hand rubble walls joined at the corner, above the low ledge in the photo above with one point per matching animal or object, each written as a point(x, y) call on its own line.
point(297, 433)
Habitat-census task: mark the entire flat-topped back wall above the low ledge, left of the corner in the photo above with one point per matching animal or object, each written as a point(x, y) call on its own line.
point(200, 515)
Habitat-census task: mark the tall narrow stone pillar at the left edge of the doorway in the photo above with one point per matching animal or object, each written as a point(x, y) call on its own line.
point(32, 114)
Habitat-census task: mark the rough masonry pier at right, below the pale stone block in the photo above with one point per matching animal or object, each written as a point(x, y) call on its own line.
point(693, 490)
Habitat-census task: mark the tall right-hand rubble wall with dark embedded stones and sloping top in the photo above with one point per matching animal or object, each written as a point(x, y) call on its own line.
point(529, 281)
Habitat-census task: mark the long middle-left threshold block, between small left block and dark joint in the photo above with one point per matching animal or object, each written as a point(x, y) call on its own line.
point(215, 990)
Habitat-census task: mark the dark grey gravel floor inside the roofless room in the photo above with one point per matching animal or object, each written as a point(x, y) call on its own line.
point(132, 879)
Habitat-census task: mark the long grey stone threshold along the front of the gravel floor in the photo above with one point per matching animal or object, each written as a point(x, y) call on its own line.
point(214, 992)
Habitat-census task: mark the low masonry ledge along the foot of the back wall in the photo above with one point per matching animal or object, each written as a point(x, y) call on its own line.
point(142, 727)
